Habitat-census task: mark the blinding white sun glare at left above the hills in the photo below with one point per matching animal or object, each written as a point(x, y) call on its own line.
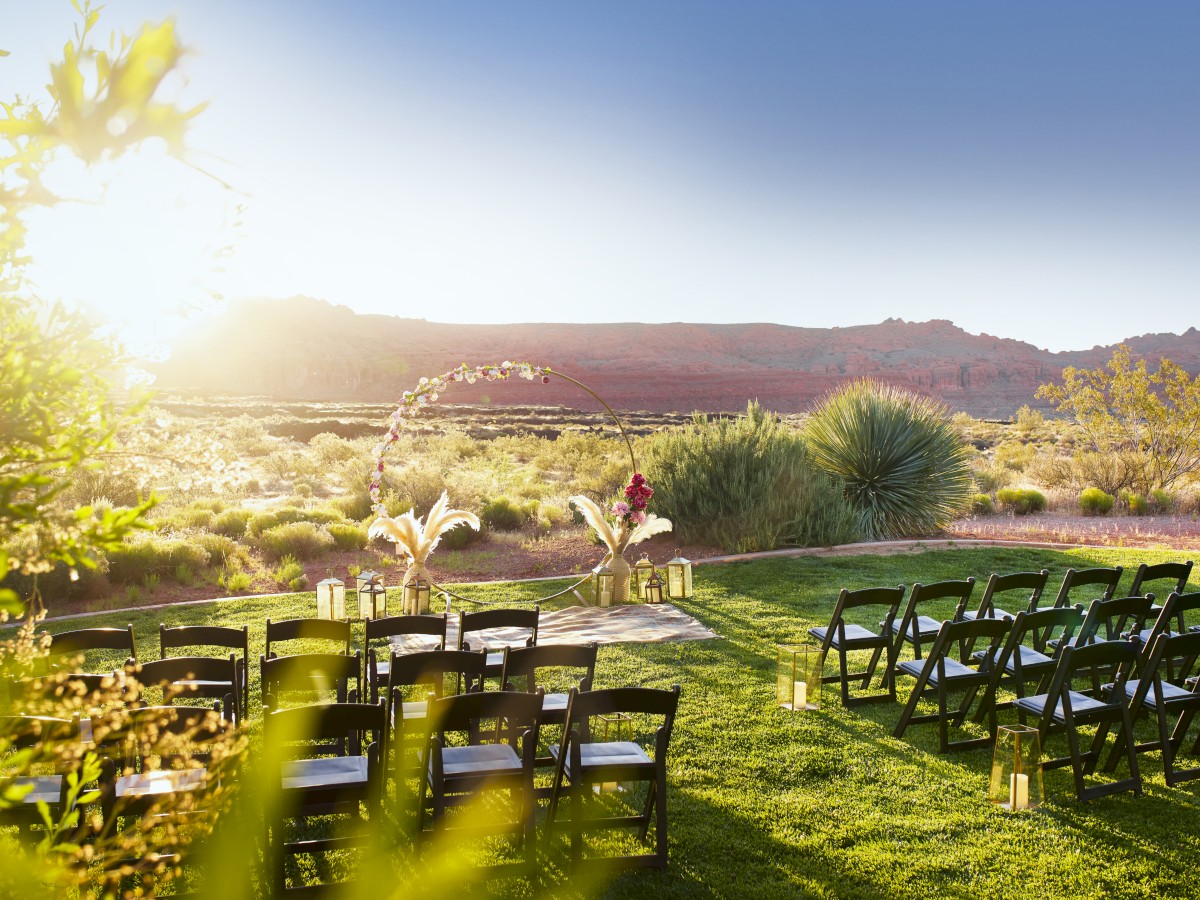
point(136, 242)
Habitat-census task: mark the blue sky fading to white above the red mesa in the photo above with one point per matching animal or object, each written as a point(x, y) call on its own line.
point(1025, 170)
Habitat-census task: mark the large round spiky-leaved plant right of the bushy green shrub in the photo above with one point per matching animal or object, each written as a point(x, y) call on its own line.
point(903, 461)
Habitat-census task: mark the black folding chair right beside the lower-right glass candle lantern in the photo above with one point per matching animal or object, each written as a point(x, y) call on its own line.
point(1063, 706)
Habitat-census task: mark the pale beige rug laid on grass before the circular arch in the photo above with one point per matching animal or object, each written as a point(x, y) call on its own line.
point(638, 623)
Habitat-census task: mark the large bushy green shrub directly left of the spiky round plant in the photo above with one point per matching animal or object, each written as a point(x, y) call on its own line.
point(746, 484)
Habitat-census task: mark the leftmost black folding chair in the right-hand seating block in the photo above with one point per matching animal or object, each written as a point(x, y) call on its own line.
point(848, 638)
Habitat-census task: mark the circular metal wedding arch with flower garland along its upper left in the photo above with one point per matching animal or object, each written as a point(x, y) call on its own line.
point(429, 391)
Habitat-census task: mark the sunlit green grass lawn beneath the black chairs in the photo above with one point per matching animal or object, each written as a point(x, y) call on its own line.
point(770, 803)
